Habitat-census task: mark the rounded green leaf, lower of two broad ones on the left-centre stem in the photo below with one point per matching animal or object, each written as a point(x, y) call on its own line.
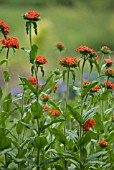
point(40, 142)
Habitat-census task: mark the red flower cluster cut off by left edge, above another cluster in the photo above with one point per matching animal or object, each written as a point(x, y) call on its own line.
point(4, 28)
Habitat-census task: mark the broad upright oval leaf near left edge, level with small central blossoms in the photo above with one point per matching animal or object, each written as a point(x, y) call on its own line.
point(7, 103)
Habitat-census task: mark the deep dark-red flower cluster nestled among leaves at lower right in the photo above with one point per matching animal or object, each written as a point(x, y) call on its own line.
point(88, 124)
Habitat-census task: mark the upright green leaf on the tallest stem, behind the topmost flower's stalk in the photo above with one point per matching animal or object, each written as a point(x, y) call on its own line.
point(33, 53)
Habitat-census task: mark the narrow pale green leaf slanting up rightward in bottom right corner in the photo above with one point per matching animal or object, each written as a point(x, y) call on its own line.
point(94, 156)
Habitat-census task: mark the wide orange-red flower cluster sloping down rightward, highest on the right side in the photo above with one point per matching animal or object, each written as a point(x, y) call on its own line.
point(85, 50)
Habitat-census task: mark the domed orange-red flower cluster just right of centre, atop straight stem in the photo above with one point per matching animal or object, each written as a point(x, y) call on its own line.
point(69, 62)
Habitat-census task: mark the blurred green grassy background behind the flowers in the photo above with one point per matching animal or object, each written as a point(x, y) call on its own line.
point(74, 22)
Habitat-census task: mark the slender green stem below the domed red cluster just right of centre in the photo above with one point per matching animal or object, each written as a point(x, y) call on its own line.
point(66, 103)
